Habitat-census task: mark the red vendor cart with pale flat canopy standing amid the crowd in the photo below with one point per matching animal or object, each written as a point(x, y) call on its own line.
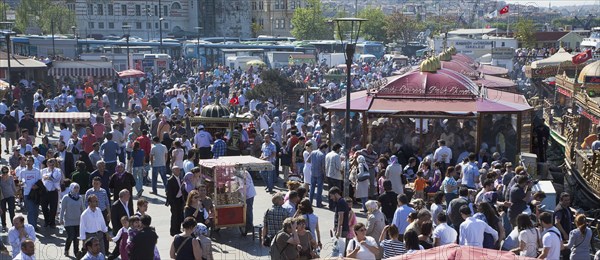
point(225, 181)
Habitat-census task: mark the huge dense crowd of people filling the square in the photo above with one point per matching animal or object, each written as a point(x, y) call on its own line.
point(84, 180)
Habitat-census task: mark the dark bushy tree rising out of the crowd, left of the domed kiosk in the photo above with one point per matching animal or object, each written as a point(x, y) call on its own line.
point(275, 85)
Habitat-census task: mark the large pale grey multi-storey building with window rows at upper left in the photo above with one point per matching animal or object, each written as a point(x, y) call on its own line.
point(180, 18)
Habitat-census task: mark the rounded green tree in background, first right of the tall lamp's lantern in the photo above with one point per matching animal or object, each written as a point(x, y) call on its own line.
point(400, 27)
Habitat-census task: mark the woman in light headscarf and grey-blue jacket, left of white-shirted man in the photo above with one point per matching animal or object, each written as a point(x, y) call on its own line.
point(71, 208)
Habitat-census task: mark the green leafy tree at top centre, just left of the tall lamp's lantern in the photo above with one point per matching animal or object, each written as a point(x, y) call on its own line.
point(310, 24)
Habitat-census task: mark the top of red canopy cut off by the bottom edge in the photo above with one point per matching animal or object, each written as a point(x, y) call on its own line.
point(454, 251)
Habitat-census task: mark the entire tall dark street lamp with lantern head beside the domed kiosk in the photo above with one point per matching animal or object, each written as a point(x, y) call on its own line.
point(349, 54)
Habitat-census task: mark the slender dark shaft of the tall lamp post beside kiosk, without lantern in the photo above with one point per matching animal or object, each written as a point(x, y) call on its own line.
point(350, 49)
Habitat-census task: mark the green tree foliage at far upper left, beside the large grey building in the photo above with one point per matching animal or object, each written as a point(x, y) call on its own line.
point(40, 13)
